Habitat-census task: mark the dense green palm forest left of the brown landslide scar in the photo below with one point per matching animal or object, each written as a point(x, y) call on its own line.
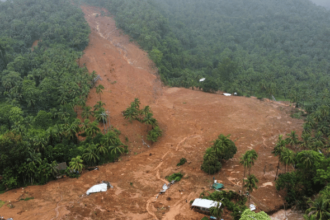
point(40, 90)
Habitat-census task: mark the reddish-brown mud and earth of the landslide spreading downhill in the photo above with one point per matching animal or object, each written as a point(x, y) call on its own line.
point(190, 119)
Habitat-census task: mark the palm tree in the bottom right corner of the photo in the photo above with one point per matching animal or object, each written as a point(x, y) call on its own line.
point(319, 208)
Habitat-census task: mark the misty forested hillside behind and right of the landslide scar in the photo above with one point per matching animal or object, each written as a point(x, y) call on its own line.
point(253, 47)
